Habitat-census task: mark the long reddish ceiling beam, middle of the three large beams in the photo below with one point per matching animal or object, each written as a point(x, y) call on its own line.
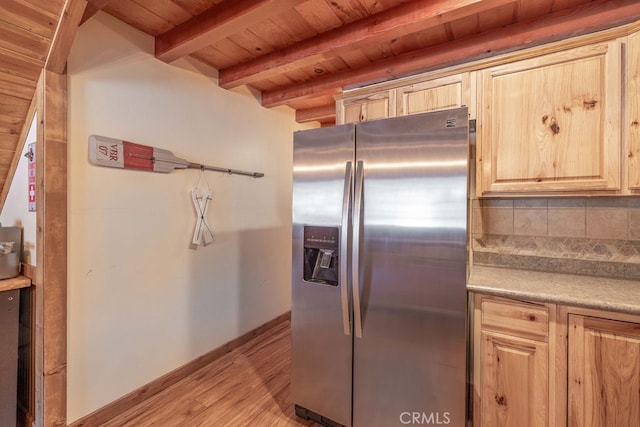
point(407, 18)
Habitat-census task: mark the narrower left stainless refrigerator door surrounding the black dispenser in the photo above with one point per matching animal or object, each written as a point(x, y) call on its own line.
point(320, 315)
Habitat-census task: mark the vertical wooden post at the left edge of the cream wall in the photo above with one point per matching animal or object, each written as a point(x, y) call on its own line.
point(51, 236)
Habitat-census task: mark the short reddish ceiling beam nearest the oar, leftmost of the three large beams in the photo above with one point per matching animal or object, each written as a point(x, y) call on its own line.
point(216, 23)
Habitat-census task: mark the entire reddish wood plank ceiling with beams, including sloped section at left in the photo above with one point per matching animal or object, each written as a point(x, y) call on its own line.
point(297, 52)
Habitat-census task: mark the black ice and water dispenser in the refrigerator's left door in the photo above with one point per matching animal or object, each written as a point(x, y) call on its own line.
point(321, 255)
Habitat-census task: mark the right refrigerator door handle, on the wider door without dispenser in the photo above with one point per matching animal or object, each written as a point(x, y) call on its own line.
point(355, 261)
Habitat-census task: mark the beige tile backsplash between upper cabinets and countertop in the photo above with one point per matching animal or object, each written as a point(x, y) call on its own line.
point(587, 229)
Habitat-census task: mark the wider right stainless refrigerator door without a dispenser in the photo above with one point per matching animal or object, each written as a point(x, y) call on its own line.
point(409, 364)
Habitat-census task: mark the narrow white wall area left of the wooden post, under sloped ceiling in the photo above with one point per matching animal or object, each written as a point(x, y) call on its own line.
point(15, 212)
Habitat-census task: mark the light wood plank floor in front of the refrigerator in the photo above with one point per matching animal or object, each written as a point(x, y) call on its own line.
point(246, 387)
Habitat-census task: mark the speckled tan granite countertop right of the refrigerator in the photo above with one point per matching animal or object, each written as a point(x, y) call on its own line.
point(621, 295)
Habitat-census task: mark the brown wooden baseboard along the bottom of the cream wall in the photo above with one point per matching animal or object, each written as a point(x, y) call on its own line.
point(145, 392)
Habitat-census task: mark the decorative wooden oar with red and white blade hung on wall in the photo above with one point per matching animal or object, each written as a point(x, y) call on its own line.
point(116, 153)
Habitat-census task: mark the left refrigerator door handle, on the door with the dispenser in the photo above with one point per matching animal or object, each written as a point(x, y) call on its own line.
point(344, 247)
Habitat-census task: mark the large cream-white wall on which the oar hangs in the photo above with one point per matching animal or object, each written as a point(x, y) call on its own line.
point(142, 302)
